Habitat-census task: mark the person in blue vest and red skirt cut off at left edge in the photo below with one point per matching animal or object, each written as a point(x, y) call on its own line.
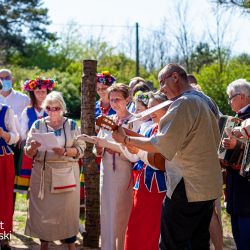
point(8, 136)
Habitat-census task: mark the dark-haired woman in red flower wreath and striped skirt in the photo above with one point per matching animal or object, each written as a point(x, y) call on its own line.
point(38, 90)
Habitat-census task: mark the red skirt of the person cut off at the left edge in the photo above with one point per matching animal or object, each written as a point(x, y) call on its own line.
point(7, 175)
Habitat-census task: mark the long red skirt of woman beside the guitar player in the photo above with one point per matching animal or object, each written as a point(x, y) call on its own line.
point(143, 230)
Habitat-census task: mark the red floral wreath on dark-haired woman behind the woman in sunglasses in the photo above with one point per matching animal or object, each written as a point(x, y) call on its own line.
point(39, 83)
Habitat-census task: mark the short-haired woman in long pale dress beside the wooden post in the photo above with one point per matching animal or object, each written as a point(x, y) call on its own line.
point(115, 173)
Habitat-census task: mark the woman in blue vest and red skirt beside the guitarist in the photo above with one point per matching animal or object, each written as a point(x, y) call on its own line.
point(149, 191)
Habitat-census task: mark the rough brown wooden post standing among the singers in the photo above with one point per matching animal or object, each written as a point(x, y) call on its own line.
point(88, 98)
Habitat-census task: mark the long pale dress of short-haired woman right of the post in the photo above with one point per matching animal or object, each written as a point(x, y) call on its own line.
point(116, 199)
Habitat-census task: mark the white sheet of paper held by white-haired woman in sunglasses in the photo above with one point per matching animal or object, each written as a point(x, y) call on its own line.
point(47, 140)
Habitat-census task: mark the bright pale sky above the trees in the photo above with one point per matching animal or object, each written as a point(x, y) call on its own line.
point(149, 15)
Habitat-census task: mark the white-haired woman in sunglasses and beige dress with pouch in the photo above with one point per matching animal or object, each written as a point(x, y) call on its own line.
point(54, 186)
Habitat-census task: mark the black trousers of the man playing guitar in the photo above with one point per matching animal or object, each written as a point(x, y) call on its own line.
point(185, 225)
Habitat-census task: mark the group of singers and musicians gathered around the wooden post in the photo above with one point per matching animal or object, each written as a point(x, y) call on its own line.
point(160, 174)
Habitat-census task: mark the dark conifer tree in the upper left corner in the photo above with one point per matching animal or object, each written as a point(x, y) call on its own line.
point(21, 21)
